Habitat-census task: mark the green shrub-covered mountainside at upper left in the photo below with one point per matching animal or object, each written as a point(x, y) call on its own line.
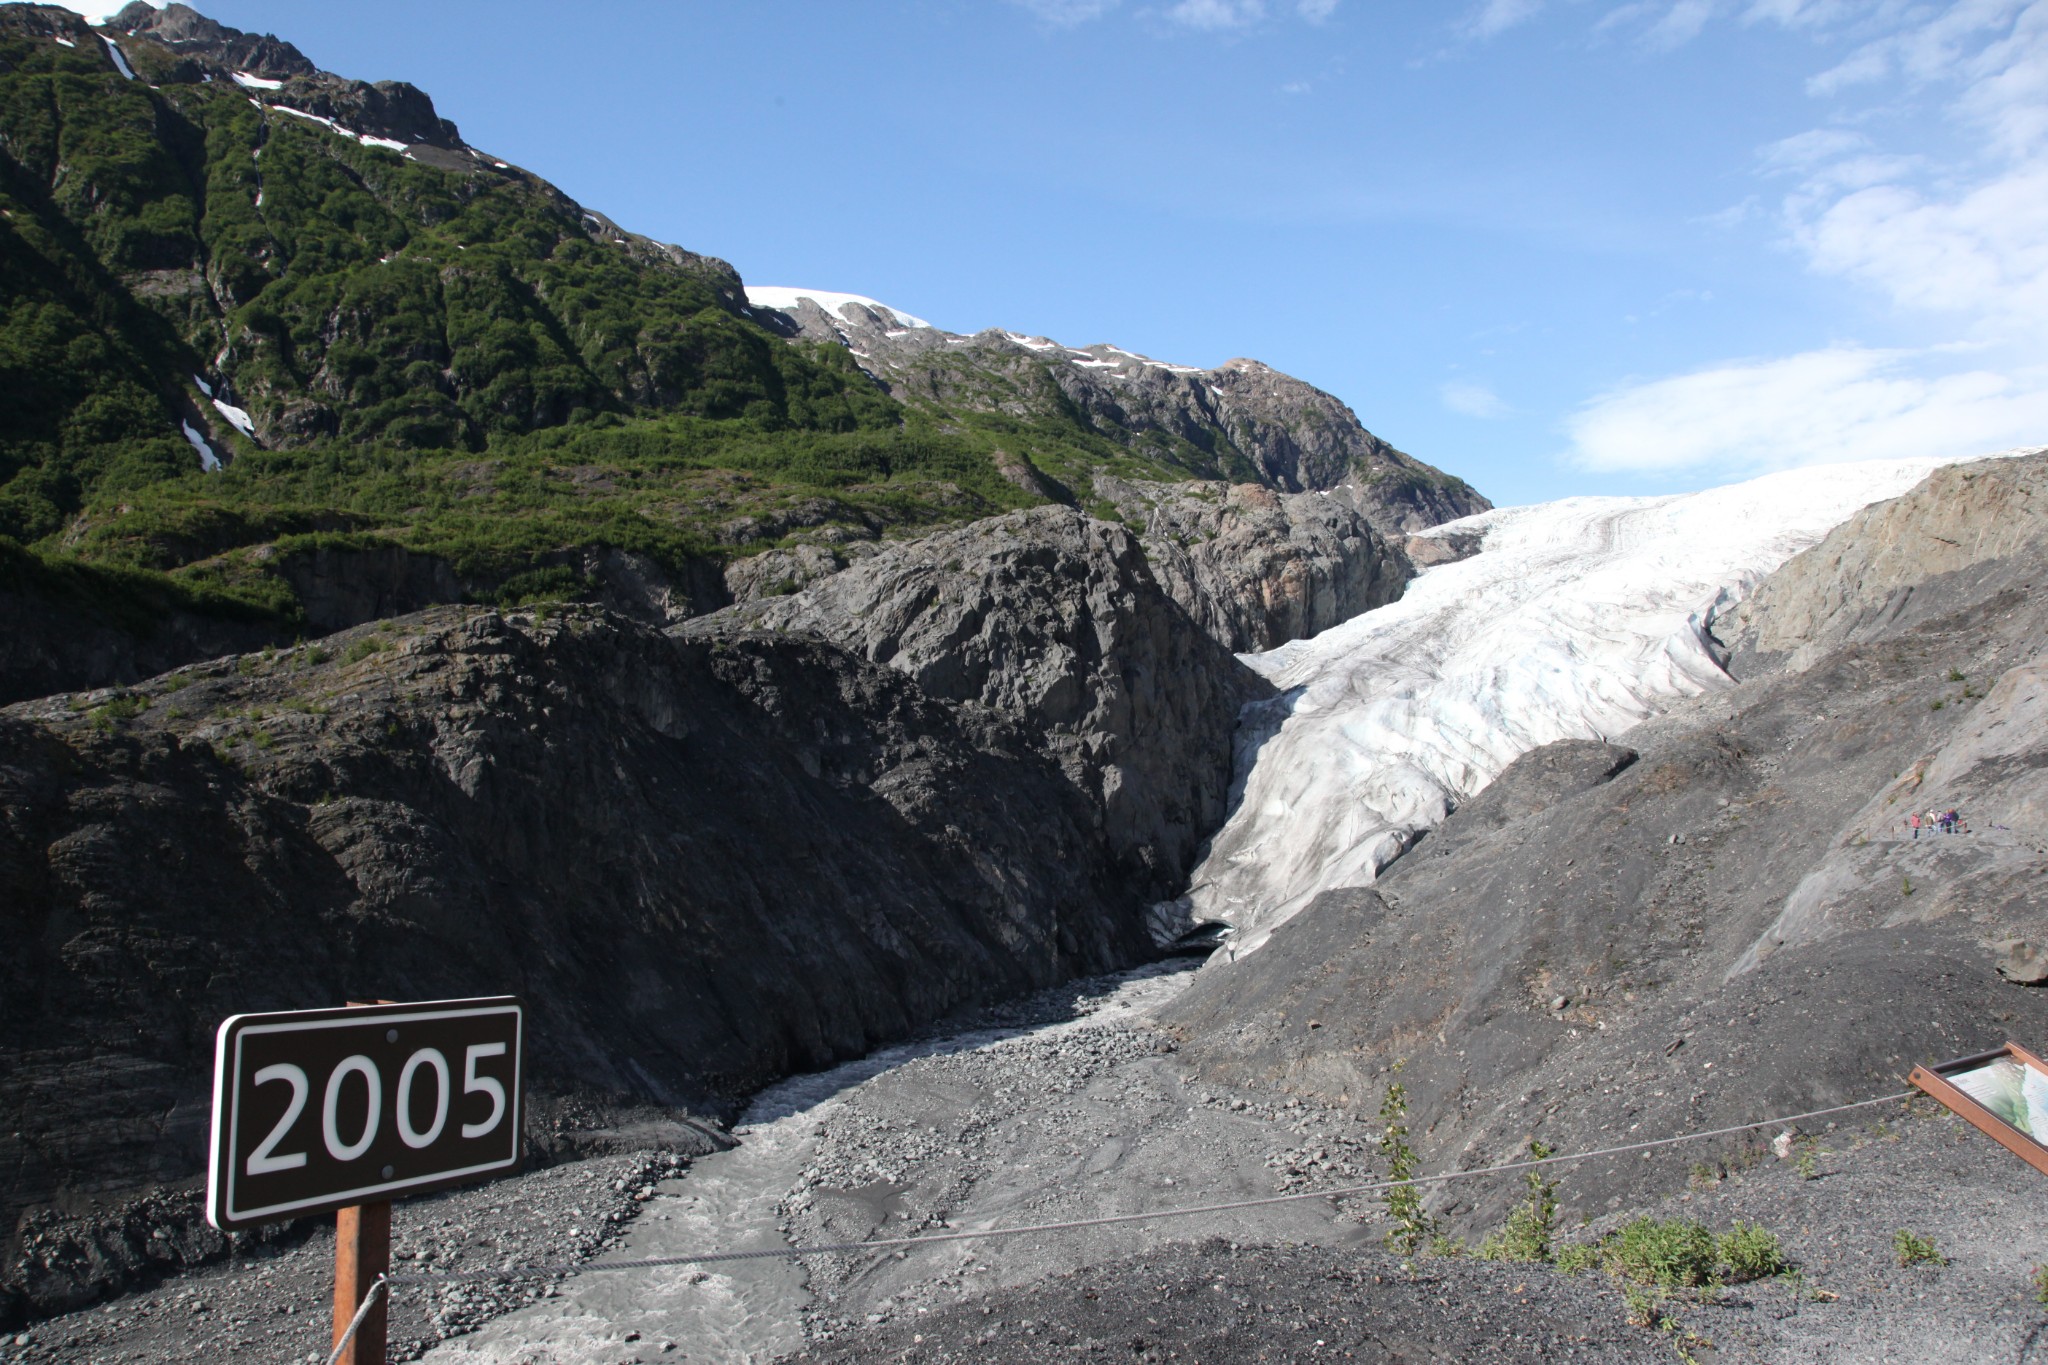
point(450, 357)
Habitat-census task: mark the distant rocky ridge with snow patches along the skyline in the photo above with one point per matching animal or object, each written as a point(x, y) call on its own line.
point(1242, 421)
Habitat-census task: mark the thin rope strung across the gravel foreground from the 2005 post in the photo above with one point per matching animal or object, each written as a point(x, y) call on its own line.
point(972, 1235)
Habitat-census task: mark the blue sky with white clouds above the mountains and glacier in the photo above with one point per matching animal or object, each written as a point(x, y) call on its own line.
point(1555, 247)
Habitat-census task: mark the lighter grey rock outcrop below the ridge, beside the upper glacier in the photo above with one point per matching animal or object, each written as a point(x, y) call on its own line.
point(1258, 568)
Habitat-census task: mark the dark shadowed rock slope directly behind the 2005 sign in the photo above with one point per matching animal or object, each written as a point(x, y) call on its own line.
point(703, 863)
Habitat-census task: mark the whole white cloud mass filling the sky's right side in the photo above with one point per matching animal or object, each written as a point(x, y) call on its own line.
point(1957, 245)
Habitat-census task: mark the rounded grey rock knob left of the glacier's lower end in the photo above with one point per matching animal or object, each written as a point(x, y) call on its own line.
point(1058, 621)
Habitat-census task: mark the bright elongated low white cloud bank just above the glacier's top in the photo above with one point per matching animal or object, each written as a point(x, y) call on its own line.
point(1826, 406)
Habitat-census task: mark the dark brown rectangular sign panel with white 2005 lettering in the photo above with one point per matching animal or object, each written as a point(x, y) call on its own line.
point(327, 1108)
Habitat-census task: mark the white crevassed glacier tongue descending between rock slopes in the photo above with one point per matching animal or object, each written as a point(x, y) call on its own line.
point(1576, 621)
